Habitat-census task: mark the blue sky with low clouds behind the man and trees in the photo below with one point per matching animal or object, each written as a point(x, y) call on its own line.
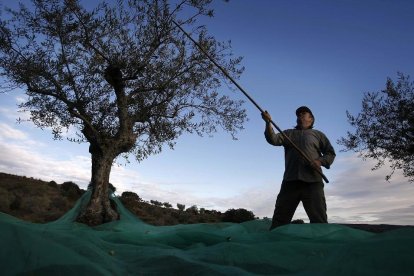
point(322, 54)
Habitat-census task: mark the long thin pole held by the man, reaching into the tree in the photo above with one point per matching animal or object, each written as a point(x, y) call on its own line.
point(311, 163)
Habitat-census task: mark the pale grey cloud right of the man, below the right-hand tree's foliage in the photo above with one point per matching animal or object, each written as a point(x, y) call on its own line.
point(359, 195)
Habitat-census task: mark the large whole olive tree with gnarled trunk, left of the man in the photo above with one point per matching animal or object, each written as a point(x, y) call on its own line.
point(123, 76)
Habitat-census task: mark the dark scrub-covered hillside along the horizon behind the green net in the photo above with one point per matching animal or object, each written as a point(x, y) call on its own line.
point(39, 201)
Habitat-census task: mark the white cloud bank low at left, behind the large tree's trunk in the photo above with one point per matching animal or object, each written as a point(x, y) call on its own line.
point(21, 155)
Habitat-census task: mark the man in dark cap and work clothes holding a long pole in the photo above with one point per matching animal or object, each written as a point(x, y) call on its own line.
point(301, 182)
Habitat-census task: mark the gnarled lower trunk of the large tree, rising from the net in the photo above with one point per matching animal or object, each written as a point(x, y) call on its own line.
point(99, 209)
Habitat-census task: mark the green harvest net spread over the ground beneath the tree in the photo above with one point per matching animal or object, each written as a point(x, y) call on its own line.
point(131, 247)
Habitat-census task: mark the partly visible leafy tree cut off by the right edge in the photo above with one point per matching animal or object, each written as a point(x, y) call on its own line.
point(384, 130)
